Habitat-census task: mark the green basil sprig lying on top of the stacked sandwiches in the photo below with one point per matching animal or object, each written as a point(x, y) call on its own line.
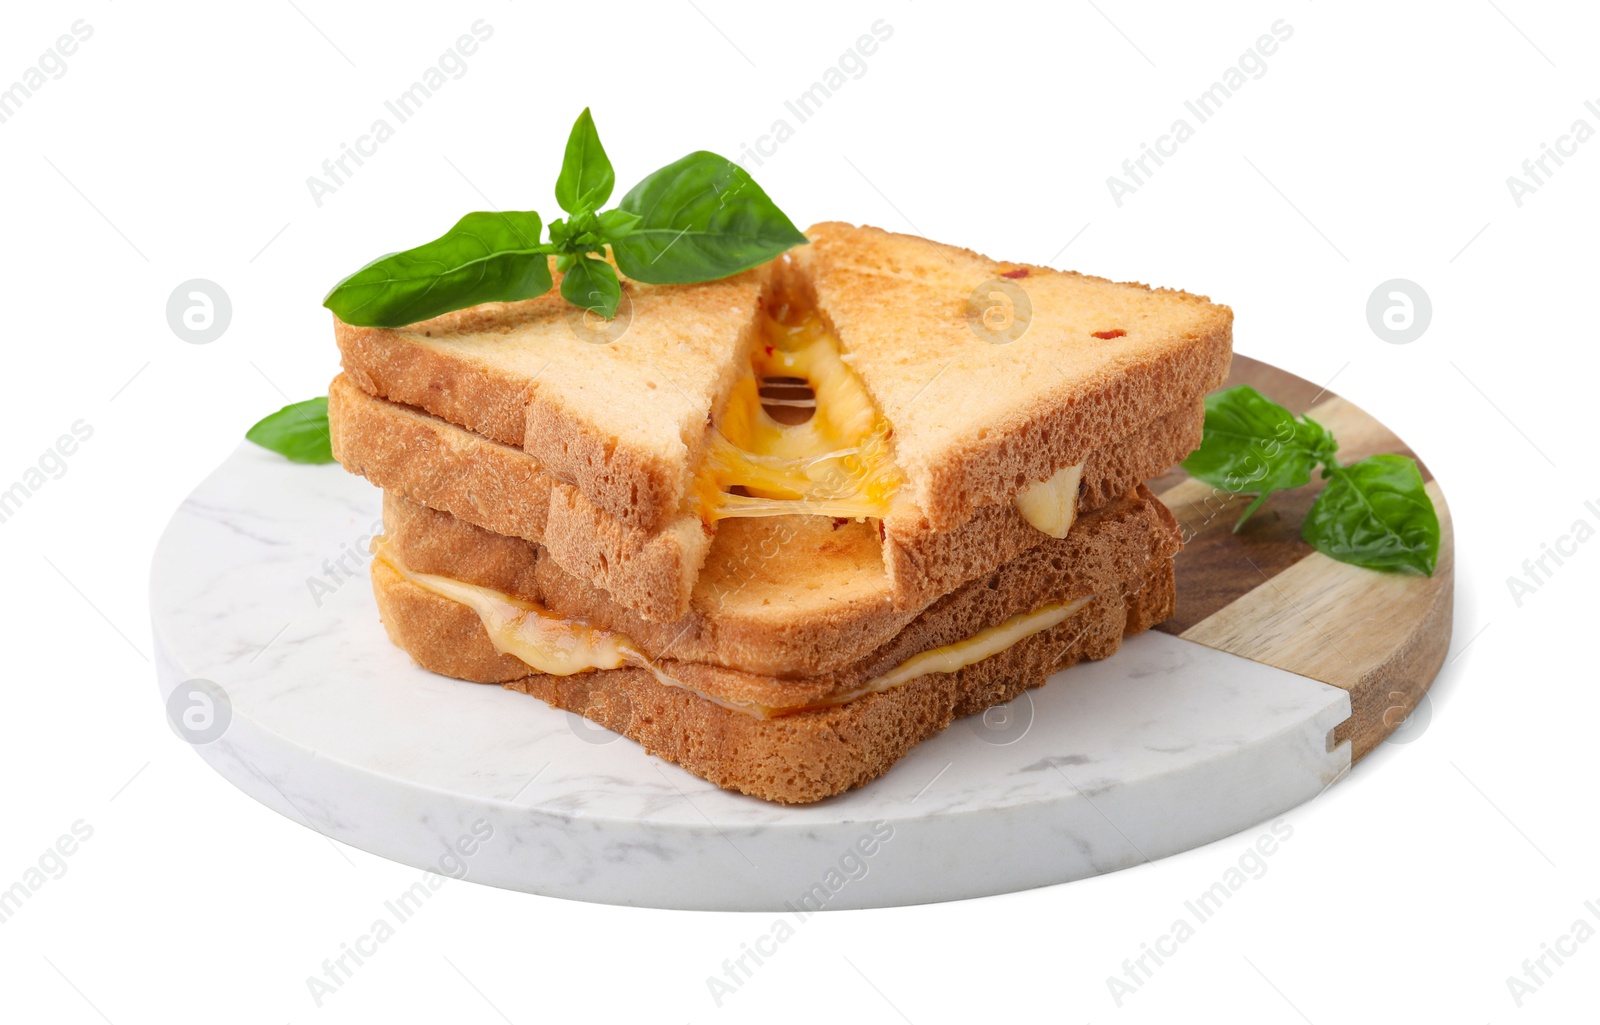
point(697, 220)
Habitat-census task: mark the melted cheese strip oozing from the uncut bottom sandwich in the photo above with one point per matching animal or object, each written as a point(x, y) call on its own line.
point(551, 644)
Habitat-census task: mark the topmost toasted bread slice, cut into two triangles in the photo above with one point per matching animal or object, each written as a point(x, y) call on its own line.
point(625, 412)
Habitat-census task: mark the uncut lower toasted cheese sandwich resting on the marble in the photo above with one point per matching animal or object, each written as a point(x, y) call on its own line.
point(794, 679)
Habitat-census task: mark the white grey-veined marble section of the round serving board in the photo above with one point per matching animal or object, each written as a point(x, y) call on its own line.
point(270, 642)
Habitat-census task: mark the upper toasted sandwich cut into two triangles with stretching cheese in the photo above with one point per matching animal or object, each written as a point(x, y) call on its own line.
point(657, 425)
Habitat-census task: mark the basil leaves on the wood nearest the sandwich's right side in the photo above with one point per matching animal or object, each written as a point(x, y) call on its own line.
point(1252, 445)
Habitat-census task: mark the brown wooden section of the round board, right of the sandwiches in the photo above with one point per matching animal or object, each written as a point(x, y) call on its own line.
point(1266, 596)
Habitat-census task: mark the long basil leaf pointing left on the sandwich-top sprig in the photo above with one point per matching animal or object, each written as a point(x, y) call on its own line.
point(484, 258)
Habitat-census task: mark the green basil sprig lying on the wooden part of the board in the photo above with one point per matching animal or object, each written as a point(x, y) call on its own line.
point(1372, 514)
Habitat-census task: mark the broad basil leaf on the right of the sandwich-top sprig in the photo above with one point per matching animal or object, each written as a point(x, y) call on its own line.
point(700, 220)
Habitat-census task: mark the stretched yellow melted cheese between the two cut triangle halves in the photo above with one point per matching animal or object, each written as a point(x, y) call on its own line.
point(834, 465)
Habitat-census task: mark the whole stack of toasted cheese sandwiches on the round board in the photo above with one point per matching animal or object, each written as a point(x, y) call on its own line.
point(783, 527)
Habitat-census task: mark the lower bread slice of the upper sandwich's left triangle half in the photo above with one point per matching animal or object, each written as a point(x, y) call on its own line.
point(506, 492)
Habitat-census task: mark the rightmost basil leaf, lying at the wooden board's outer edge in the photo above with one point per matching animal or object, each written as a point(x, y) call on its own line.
point(1375, 514)
